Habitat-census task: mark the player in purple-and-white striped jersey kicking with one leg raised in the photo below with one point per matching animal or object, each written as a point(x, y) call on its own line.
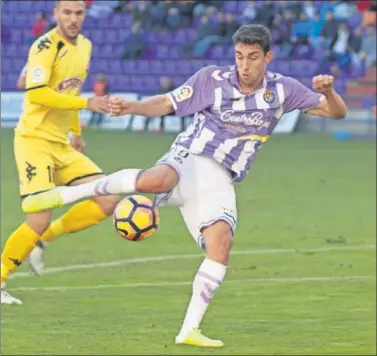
point(236, 110)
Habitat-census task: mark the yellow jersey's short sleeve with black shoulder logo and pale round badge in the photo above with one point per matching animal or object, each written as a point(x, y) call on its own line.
point(40, 61)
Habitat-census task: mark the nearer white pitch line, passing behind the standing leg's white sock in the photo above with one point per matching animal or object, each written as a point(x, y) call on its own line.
point(170, 284)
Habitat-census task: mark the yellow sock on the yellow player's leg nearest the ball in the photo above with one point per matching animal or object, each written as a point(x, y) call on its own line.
point(79, 217)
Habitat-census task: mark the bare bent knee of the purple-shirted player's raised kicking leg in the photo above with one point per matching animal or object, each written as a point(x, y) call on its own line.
point(161, 179)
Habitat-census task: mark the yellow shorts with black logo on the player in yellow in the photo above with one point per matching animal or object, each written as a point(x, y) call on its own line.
point(42, 164)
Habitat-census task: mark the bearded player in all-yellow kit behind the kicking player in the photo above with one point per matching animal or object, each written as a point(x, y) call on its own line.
point(57, 67)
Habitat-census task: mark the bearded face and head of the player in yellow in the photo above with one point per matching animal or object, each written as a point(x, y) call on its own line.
point(70, 16)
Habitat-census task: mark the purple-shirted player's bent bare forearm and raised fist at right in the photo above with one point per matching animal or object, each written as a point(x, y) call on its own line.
point(333, 106)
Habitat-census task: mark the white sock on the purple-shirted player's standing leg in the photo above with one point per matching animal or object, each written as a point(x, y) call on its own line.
point(207, 280)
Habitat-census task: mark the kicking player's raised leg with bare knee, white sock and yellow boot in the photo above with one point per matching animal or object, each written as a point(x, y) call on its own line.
point(159, 179)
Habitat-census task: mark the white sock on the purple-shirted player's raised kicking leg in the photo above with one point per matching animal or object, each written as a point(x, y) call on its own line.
point(123, 181)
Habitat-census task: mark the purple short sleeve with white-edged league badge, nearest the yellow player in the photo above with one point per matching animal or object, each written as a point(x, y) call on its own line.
point(194, 95)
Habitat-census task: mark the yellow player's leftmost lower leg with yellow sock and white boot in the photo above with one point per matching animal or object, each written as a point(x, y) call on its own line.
point(18, 247)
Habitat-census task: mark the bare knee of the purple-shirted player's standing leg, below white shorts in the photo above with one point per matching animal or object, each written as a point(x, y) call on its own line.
point(218, 240)
